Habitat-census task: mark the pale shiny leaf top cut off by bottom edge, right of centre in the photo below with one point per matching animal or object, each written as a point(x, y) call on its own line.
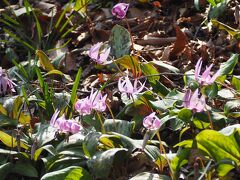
point(150, 176)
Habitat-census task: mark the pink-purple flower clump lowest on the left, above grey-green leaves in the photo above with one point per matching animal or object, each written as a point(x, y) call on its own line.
point(63, 124)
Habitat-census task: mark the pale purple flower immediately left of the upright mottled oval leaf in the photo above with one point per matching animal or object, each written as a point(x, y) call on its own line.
point(98, 56)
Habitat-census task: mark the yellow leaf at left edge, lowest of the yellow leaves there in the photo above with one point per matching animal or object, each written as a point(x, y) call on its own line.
point(10, 141)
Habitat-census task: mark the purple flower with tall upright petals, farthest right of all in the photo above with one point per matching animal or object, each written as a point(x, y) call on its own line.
point(205, 78)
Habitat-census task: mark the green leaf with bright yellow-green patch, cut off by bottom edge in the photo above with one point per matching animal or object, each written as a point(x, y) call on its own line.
point(69, 173)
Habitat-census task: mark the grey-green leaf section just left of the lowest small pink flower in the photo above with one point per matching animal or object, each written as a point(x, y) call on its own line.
point(119, 126)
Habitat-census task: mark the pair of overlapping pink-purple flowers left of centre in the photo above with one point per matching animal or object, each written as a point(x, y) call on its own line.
point(96, 101)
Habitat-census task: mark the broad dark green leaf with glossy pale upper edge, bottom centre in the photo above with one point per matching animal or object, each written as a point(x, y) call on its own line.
point(101, 163)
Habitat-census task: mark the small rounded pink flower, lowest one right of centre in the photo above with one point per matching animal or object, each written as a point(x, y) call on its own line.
point(151, 122)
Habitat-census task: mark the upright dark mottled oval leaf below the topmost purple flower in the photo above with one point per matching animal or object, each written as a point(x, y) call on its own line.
point(120, 41)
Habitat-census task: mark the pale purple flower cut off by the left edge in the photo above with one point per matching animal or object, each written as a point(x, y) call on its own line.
point(5, 83)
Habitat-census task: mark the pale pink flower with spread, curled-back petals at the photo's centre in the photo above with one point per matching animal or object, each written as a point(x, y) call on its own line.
point(125, 86)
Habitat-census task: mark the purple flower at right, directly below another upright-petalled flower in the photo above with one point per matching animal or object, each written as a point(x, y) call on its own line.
point(193, 102)
